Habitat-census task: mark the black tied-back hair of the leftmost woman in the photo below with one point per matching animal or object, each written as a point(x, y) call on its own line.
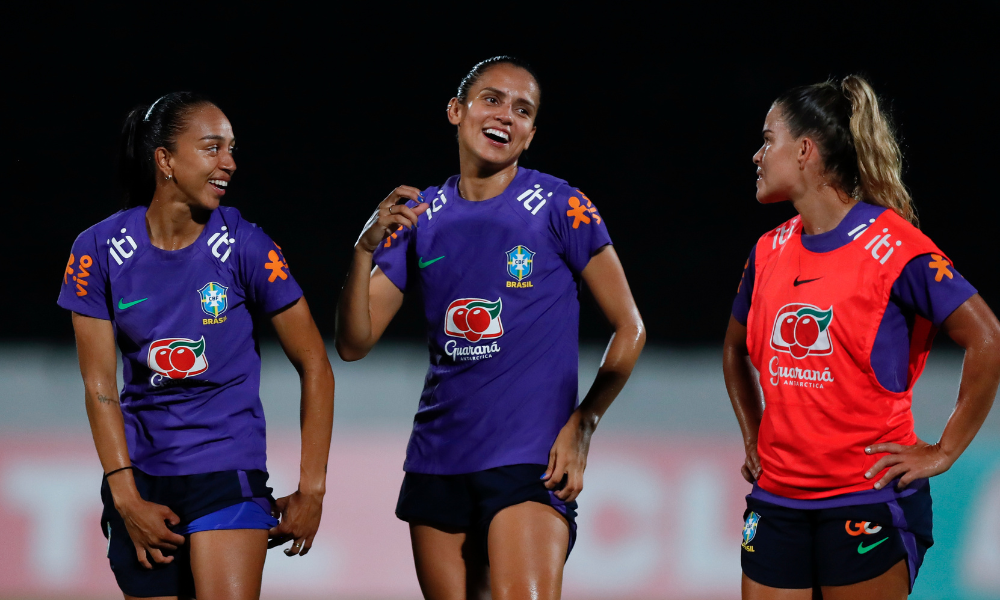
point(146, 128)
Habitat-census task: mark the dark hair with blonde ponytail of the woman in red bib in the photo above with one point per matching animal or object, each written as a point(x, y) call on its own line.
point(855, 139)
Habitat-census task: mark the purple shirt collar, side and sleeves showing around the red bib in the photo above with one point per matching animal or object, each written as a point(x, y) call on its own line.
point(927, 287)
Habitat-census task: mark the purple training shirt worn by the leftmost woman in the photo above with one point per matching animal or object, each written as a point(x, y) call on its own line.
point(183, 322)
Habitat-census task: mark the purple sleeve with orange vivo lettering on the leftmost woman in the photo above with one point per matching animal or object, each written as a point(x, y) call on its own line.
point(84, 285)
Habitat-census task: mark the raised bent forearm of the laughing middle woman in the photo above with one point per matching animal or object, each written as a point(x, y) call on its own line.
point(354, 323)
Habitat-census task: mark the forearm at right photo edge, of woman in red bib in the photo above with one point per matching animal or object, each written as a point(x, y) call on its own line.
point(980, 378)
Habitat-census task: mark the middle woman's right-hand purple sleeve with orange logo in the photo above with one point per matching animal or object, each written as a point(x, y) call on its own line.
point(579, 227)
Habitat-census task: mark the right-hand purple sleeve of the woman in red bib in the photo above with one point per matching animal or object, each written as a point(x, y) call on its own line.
point(930, 286)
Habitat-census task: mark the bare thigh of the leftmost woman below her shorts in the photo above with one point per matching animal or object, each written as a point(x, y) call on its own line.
point(227, 564)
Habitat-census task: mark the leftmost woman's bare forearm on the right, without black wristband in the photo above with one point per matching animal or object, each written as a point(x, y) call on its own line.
point(316, 422)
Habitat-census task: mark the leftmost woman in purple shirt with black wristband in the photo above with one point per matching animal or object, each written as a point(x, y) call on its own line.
point(175, 280)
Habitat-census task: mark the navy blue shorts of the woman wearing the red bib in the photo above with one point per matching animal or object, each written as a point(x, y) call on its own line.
point(801, 548)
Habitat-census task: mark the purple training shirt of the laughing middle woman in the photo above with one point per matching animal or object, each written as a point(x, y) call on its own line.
point(500, 285)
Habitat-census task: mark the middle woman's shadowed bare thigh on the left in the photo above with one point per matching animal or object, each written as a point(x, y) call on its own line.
point(450, 563)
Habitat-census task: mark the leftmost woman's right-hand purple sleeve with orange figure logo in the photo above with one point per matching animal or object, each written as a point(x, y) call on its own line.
point(269, 282)
